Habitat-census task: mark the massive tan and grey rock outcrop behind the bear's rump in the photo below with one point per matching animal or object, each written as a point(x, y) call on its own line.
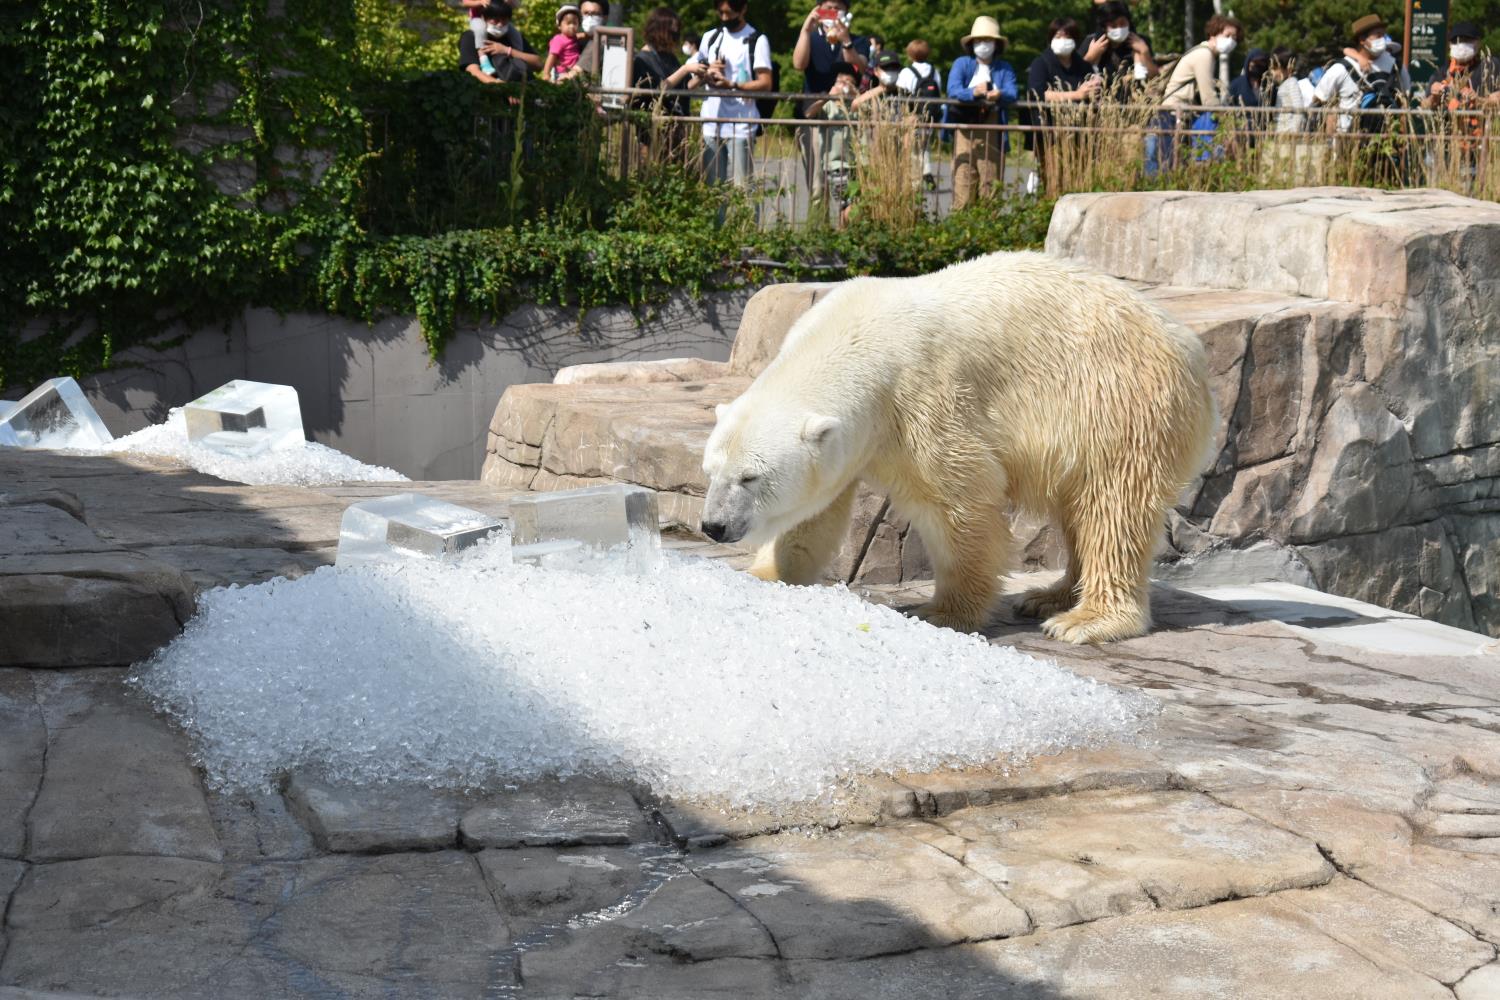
point(1360, 394)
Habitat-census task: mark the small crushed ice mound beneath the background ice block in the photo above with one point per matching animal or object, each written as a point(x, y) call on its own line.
point(295, 464)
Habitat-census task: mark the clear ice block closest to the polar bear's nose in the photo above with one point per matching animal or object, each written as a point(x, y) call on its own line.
point(599, 516)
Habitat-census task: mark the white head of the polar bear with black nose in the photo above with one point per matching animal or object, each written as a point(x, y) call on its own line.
point(770, 470)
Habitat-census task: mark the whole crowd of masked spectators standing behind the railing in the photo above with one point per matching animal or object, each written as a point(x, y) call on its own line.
point(1109, 61)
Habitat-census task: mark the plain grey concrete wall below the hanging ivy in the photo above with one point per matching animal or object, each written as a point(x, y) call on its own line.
point(373, 392)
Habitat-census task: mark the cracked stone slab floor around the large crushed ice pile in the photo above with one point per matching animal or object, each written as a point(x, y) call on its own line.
point(1318, 813)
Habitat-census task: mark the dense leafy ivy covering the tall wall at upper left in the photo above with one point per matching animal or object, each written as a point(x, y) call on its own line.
point(163, 160)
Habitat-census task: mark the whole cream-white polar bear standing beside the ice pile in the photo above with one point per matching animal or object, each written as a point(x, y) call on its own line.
point(1013, 382)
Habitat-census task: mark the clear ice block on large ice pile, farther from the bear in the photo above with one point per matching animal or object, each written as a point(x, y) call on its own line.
point(410, 527)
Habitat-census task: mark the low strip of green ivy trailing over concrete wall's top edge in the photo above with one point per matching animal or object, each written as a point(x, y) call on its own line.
point(488, 272)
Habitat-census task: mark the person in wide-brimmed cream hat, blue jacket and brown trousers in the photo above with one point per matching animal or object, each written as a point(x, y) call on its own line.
point(986, 83)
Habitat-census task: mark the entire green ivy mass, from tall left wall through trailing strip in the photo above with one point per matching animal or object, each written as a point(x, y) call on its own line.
point(173, 161)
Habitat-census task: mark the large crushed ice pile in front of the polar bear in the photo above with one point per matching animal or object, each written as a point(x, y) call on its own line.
point(691, 678)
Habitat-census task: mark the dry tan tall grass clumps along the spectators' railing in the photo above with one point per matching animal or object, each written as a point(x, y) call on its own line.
point(1091, 148)
